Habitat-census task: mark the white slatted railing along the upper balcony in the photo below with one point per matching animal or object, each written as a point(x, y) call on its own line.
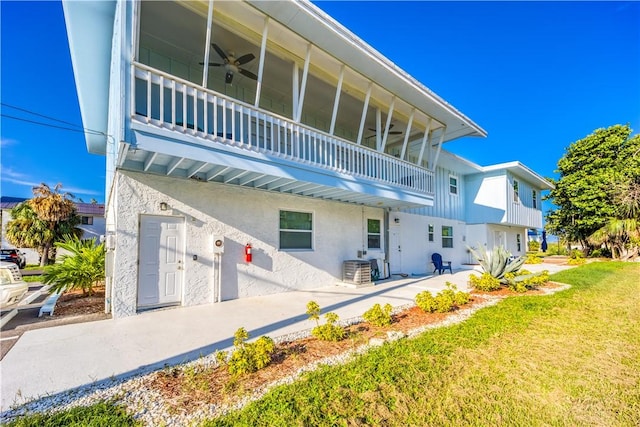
point(166, 101)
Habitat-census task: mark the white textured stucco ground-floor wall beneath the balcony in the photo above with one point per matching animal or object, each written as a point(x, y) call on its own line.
point(242, 216)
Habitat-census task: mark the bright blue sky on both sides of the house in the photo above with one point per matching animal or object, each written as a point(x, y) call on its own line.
point(536, 75)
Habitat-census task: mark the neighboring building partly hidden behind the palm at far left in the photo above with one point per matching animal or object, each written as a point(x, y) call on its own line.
point(91, 216)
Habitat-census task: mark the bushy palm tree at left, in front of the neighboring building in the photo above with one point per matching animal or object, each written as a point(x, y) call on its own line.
point(40, 222)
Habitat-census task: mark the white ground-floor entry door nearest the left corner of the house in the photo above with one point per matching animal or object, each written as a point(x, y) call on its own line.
point(161, 260)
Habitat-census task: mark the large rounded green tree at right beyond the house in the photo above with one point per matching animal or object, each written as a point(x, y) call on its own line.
point(596, 173)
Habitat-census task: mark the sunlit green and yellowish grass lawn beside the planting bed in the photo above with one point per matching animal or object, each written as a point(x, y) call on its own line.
point(572, 358)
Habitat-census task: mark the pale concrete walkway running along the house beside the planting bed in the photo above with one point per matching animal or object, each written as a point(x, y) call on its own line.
point(52, 360)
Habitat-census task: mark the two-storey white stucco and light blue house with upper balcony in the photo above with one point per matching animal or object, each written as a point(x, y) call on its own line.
point(299, 140)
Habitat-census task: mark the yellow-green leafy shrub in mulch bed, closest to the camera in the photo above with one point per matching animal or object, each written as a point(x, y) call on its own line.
point(250, 357)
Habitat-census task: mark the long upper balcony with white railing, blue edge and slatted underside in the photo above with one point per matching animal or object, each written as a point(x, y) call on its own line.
point(182, 129)
